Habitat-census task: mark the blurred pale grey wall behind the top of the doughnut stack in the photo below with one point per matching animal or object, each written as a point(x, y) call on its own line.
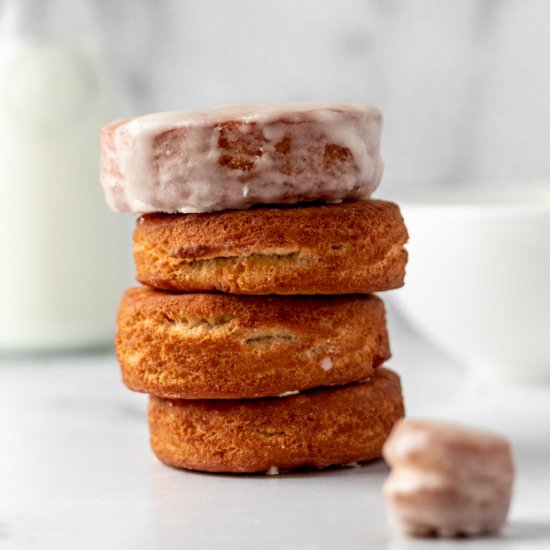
point(464, 85)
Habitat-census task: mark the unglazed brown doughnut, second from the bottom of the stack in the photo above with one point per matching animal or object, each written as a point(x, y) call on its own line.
point(226, 347)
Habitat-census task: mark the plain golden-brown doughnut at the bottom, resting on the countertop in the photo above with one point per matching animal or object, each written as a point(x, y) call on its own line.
point(315, 429)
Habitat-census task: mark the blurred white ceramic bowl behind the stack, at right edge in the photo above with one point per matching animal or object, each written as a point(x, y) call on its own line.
point(478, 279)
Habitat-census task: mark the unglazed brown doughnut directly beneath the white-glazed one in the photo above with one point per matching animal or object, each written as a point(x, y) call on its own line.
point(354, 247)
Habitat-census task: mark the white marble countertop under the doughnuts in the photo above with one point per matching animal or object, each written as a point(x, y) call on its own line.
point(76, 471)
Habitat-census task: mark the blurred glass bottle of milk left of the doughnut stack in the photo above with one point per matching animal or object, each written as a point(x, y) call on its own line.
point(62, 261)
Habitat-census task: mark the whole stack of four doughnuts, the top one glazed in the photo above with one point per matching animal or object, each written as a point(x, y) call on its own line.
point(256, 331)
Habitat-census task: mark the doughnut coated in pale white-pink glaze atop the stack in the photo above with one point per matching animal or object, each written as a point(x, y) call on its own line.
point(235, 157)
